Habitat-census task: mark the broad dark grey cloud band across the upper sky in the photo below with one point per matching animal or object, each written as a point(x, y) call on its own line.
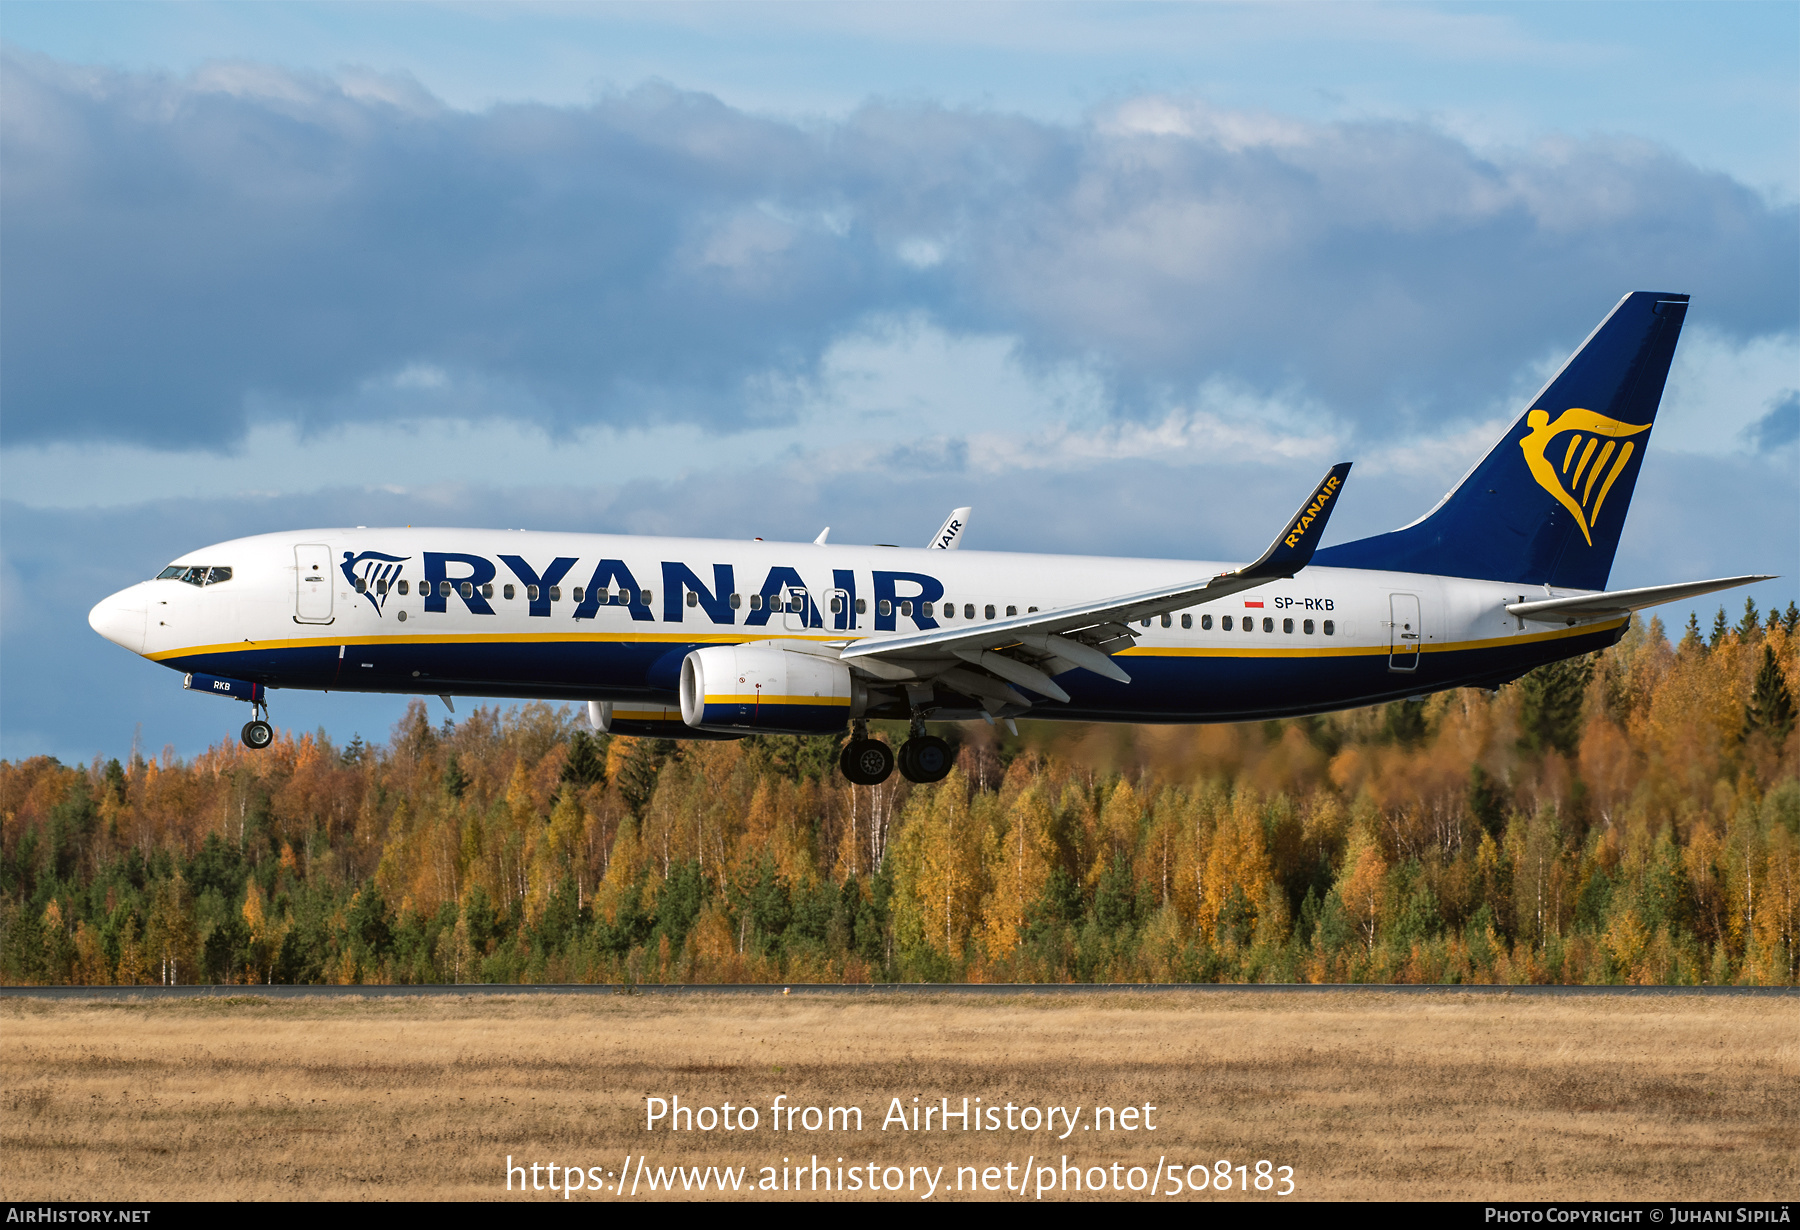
point(183, 253)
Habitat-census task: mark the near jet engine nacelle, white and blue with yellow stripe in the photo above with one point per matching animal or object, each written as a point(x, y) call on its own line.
point(769, 689)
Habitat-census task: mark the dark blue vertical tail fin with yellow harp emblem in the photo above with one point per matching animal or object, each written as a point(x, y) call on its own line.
point(1545, 507)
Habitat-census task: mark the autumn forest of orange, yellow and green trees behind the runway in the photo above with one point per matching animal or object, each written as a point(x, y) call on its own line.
point(1624, 818)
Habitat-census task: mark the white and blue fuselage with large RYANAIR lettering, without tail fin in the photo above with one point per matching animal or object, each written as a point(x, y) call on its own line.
point(292, 615)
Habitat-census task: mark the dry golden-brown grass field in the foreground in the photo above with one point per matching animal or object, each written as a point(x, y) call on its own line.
point(1362, 1094)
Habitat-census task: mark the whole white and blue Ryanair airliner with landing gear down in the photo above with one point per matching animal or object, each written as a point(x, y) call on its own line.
point(697, 638)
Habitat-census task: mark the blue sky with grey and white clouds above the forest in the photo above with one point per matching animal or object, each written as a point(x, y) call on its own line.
point(1122, 276)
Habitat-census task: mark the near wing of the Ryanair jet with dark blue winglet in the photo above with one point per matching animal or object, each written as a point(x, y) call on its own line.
point(1050, 642)
